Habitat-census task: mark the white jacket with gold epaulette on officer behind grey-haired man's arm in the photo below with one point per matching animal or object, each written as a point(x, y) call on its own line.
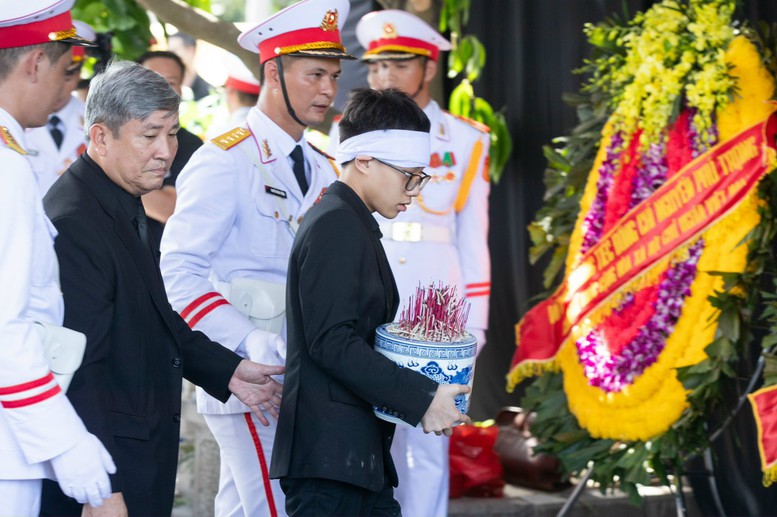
point(236, 215)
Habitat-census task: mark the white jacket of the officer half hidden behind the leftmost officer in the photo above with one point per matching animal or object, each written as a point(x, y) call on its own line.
point(48, 162)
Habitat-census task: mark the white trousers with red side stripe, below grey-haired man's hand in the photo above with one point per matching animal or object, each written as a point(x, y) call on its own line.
point(245, 489)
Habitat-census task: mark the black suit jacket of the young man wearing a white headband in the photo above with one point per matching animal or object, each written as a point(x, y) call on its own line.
point(339, 290)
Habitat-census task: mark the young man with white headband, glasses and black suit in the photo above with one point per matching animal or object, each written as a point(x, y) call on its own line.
point(331, 452)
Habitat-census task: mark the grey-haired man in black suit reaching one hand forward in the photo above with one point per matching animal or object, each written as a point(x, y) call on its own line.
point(128, 388)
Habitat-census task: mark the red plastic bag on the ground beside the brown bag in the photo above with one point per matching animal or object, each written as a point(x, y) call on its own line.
point(475, 469)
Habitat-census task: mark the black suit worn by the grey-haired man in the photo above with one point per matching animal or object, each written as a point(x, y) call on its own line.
point(128, 389)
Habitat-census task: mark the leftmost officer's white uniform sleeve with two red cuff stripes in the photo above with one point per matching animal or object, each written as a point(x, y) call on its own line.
point(36, 411)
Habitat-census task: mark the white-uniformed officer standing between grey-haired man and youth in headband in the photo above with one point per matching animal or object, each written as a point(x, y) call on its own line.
point(241, 198)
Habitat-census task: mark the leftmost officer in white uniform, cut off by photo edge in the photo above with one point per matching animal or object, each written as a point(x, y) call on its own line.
point(40, 433)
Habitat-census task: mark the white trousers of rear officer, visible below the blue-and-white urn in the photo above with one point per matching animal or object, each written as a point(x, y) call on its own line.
point(423, 470)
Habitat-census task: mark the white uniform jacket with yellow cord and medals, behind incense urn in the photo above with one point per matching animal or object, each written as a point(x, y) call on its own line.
point(443, 236)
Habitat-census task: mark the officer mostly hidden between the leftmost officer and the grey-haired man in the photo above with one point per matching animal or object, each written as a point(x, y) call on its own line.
point(48, 159)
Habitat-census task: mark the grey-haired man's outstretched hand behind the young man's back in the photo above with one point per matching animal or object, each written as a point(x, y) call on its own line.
point(251, 383)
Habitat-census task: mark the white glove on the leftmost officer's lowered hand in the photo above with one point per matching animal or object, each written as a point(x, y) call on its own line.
point(82, 471)
